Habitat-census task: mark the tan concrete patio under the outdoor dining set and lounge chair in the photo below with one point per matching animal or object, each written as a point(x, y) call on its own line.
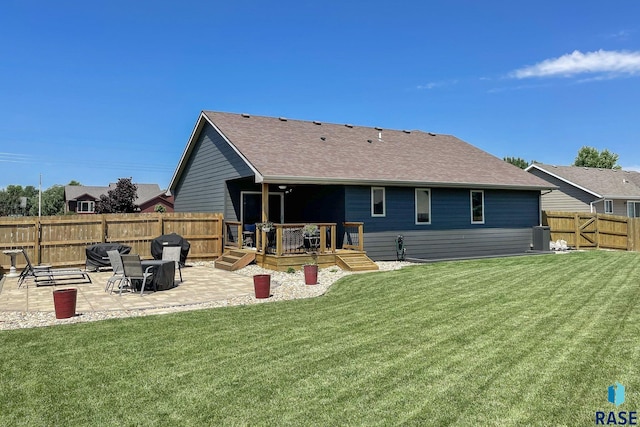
point(201, 284)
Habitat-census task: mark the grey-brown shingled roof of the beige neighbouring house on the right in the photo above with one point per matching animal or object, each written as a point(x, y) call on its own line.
point(602, 183)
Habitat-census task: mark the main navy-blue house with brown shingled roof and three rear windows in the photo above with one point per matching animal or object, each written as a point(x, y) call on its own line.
point(447, 198)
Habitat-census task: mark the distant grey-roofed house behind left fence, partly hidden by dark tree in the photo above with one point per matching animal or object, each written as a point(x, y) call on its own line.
point(82, 199)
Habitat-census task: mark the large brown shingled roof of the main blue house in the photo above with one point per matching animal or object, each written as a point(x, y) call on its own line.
point(289, 151)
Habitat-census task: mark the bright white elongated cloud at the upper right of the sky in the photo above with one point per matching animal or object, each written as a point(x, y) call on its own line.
point(600, 62)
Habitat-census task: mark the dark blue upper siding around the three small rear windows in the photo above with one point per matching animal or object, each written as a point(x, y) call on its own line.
point(450, 209)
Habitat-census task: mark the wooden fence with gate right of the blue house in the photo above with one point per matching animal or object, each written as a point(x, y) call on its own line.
point(583, 230)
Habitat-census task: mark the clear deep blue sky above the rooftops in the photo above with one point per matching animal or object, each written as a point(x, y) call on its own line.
point(94, 91)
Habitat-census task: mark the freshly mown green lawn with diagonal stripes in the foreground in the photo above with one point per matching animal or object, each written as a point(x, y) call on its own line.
point(514, 341)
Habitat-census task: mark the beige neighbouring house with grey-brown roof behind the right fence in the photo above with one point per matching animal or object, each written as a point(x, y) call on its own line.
point(582, 189)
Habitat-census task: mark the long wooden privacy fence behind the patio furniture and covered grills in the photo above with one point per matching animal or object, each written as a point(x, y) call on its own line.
point(61, 240)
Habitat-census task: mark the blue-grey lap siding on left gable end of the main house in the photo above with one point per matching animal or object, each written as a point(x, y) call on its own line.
point(202, 187)
